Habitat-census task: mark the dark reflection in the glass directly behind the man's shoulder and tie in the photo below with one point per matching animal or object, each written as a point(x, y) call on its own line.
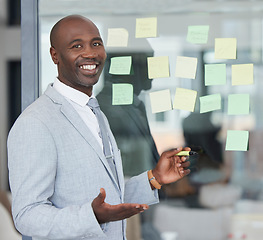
point(129, 123)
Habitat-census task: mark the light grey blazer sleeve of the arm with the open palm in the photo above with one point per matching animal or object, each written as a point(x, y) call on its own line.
point(32, 161)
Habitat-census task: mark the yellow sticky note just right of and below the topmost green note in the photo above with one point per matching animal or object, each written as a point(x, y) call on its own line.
point(225, 48)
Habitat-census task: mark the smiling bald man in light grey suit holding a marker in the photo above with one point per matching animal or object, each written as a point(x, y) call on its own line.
point(62, 184)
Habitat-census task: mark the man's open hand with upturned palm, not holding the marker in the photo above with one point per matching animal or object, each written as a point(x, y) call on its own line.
point(105, 212)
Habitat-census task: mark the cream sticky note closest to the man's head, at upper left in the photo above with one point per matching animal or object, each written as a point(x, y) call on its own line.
point(117, 37)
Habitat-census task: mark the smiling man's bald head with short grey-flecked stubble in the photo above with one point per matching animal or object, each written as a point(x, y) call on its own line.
point(77, 50)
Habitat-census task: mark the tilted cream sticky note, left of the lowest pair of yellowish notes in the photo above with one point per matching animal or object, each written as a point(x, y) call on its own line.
point(160, 101)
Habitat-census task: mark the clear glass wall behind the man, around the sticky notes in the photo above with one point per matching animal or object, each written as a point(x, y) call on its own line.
point(228, 186)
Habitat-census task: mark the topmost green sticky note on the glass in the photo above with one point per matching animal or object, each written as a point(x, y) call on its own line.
point(197, 34)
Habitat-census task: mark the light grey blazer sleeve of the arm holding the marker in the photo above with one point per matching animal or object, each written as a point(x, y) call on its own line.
point(138, 190)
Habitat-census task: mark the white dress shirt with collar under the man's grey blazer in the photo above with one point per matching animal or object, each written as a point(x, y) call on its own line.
point(79, 101)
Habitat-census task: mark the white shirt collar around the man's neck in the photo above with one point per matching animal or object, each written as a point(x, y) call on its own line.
point(71, 93)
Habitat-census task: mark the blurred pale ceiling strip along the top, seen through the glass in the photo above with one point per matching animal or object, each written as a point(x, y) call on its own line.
point(126, 7)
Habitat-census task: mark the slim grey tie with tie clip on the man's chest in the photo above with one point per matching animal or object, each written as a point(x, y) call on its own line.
point(94, 105)
